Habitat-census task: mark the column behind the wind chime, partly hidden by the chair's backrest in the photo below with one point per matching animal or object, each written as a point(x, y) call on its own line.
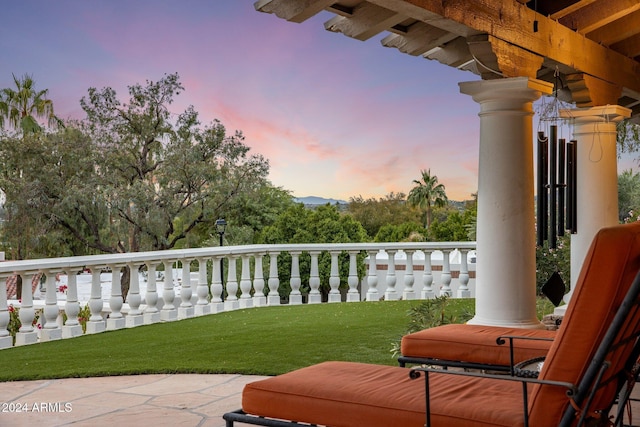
point(596, 180)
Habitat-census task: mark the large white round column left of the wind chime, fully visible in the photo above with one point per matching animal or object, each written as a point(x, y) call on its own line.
point(506, 268)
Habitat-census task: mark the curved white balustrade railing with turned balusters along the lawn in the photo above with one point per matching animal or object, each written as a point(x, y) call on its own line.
point(167, 289)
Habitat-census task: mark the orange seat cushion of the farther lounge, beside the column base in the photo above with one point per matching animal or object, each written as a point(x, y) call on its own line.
point(475, 343)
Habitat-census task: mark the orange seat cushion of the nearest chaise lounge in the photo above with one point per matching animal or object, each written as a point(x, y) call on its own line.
point(346, 394)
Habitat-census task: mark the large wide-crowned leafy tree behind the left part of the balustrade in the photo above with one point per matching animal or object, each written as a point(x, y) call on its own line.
point(132, 176)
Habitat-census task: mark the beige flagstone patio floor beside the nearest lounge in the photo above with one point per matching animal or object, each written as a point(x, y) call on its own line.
point(188, 400)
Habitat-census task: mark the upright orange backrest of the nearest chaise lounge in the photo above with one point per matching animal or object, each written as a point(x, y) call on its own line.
point(607, 273)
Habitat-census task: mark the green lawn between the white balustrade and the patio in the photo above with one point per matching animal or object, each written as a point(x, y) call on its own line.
point(266, 341)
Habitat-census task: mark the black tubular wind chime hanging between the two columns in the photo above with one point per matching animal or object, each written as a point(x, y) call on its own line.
point(556, 176)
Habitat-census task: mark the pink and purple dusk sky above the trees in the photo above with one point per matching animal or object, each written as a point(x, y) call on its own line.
point(336, 117)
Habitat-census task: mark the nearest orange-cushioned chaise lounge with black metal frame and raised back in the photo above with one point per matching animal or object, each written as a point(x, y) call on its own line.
point(591, 363)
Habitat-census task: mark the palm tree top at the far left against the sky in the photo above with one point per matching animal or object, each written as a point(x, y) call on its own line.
point(24, 104)
